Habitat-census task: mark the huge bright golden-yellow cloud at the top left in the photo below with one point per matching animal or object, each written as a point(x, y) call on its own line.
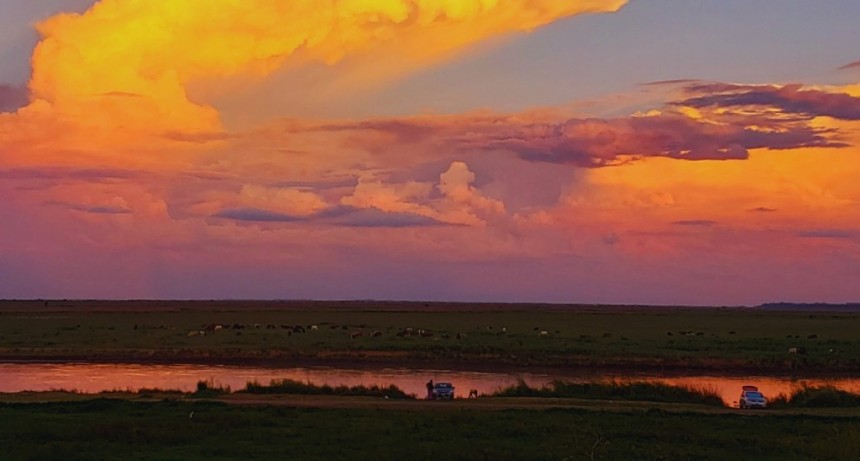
point(129, 62)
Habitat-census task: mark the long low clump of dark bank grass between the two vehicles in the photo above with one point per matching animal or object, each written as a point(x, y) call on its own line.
point(616, 390)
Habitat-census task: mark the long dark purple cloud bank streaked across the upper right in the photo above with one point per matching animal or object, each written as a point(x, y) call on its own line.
point(781, 120)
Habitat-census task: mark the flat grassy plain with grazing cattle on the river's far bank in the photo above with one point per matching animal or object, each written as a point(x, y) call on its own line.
point(717, 339)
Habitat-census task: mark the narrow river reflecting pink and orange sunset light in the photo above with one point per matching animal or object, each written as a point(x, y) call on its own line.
point(91, 378)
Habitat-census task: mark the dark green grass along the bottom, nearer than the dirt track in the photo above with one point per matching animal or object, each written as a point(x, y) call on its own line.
point(170, 430)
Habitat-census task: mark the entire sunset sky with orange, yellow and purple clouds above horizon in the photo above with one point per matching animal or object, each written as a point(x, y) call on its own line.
point(570, 151)
